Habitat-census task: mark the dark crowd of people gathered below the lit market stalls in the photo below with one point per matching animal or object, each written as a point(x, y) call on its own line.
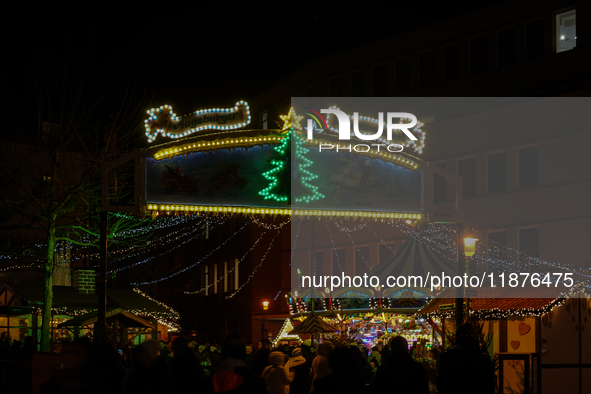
point(184, 367)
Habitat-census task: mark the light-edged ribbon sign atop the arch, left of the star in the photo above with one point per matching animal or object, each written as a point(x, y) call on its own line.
point(163, 120)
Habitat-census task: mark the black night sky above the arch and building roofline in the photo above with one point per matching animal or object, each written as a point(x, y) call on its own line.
point(194, 56)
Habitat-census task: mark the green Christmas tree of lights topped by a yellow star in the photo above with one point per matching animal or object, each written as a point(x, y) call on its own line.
point(290, 176)
